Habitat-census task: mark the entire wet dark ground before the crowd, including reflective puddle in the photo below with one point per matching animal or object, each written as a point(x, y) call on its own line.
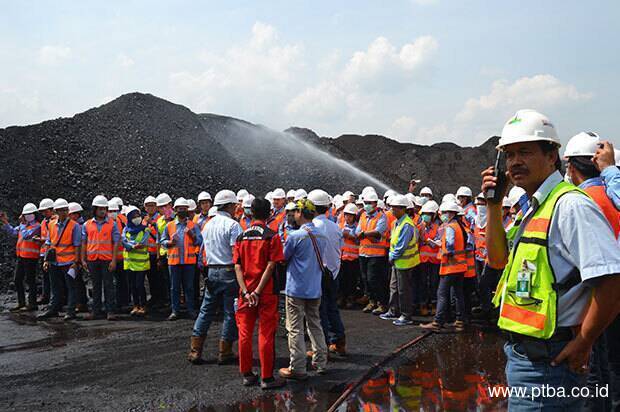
point(140, 365)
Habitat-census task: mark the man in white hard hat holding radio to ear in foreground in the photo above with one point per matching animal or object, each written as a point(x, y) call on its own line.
point(559, 289)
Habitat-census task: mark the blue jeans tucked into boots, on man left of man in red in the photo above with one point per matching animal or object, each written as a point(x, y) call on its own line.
point(221, 289)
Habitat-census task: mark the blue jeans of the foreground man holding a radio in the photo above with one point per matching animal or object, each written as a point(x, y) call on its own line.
point(535, 376)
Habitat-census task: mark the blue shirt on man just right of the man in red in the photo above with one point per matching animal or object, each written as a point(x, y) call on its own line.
point(303, 273)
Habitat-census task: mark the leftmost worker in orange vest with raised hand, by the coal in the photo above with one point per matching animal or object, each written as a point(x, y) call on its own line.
point(27, 251)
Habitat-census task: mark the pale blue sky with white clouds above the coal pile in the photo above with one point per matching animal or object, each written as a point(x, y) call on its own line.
point(419, 71)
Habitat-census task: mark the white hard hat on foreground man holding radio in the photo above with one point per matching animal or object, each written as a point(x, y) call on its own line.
point(528, 126)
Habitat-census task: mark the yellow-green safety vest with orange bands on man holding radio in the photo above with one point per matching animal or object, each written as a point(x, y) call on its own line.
point(536, 314)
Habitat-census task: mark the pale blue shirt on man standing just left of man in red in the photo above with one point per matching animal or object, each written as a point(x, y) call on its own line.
point(219, 237)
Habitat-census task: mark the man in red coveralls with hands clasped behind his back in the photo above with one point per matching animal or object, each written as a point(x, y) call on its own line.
point(256, 253)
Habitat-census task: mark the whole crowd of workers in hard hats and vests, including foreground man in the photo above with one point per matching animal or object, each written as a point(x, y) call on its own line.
point(546, 256)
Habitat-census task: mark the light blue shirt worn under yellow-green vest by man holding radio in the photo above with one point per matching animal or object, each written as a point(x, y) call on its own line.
point(579, 237)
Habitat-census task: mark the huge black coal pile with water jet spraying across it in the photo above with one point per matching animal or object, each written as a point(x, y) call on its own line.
point(139, 145)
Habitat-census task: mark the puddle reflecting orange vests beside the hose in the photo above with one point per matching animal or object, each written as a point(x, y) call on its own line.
point(451, 372)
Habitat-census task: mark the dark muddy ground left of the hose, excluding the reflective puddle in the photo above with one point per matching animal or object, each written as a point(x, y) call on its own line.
point(140, 365)
